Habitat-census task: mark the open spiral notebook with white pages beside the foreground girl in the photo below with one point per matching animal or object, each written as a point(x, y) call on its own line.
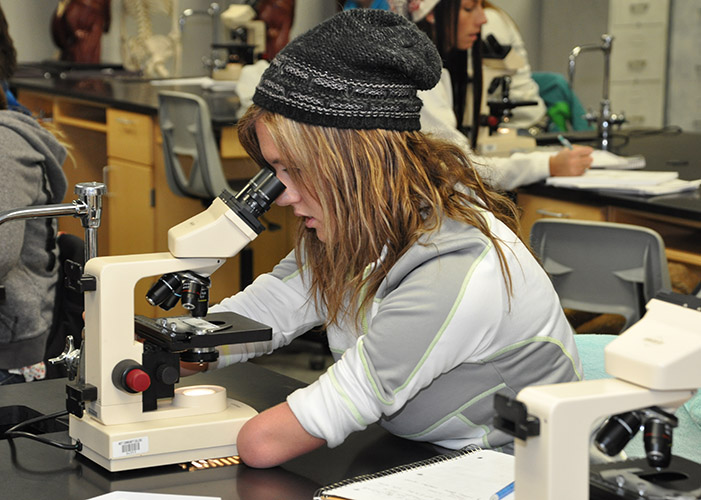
point(469, 474)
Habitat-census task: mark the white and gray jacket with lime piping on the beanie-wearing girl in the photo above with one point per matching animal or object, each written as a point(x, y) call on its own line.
point(442, 336)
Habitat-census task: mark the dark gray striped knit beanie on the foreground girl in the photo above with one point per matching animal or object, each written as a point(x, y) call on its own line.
point(360, 69)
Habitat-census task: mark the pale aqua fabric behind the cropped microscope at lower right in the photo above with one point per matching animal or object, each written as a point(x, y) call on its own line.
point(686, 439)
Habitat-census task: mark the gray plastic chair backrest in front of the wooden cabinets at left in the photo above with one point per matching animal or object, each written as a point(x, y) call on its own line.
point(186, 128)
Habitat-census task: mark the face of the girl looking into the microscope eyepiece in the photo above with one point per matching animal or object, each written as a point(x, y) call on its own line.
point(297, 197)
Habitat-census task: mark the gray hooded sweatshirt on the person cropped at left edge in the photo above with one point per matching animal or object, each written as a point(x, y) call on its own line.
point(30, 174)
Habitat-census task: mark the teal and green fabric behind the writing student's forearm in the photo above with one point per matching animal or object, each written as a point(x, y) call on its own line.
point(558, 96)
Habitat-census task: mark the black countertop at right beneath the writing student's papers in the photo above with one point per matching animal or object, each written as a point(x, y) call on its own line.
point(664, 150)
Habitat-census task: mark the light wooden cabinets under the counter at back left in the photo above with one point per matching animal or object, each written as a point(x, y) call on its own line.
point(123, 149)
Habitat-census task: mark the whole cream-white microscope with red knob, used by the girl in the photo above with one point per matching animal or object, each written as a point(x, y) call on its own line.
point(124, 409)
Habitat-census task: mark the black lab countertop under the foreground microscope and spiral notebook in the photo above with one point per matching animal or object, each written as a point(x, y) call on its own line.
point(36, 471)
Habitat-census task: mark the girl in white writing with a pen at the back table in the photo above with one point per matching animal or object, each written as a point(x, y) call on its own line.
point(455, 27)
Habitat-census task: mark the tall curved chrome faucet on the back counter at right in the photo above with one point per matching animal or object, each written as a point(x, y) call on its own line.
point(604, 119)
